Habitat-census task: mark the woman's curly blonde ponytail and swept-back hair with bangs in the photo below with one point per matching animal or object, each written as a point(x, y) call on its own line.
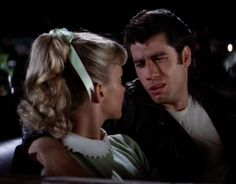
point(53, 89)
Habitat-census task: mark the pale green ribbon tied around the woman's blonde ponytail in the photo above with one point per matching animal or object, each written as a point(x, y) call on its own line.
point(75, 59)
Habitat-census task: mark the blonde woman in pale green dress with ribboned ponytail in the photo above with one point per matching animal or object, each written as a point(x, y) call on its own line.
point(73, 85)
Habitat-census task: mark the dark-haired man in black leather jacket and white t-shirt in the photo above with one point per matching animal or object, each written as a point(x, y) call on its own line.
point(185, 129)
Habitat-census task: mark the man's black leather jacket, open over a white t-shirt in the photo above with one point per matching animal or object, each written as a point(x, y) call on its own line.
point(166, 144)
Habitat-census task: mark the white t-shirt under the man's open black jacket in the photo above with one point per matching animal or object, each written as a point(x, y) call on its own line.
point(199, 126)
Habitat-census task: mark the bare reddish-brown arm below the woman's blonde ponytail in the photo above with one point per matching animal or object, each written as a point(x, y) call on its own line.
point(55, 159)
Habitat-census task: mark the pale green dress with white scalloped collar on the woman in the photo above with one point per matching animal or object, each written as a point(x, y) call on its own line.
point(117, 157)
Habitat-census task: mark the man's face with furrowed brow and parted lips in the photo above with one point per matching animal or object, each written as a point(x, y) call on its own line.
point(159, 70)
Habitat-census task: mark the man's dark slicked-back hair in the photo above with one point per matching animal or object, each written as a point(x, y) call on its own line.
point(146, 24)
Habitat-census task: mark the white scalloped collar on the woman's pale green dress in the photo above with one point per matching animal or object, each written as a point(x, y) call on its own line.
point(87, 147)
